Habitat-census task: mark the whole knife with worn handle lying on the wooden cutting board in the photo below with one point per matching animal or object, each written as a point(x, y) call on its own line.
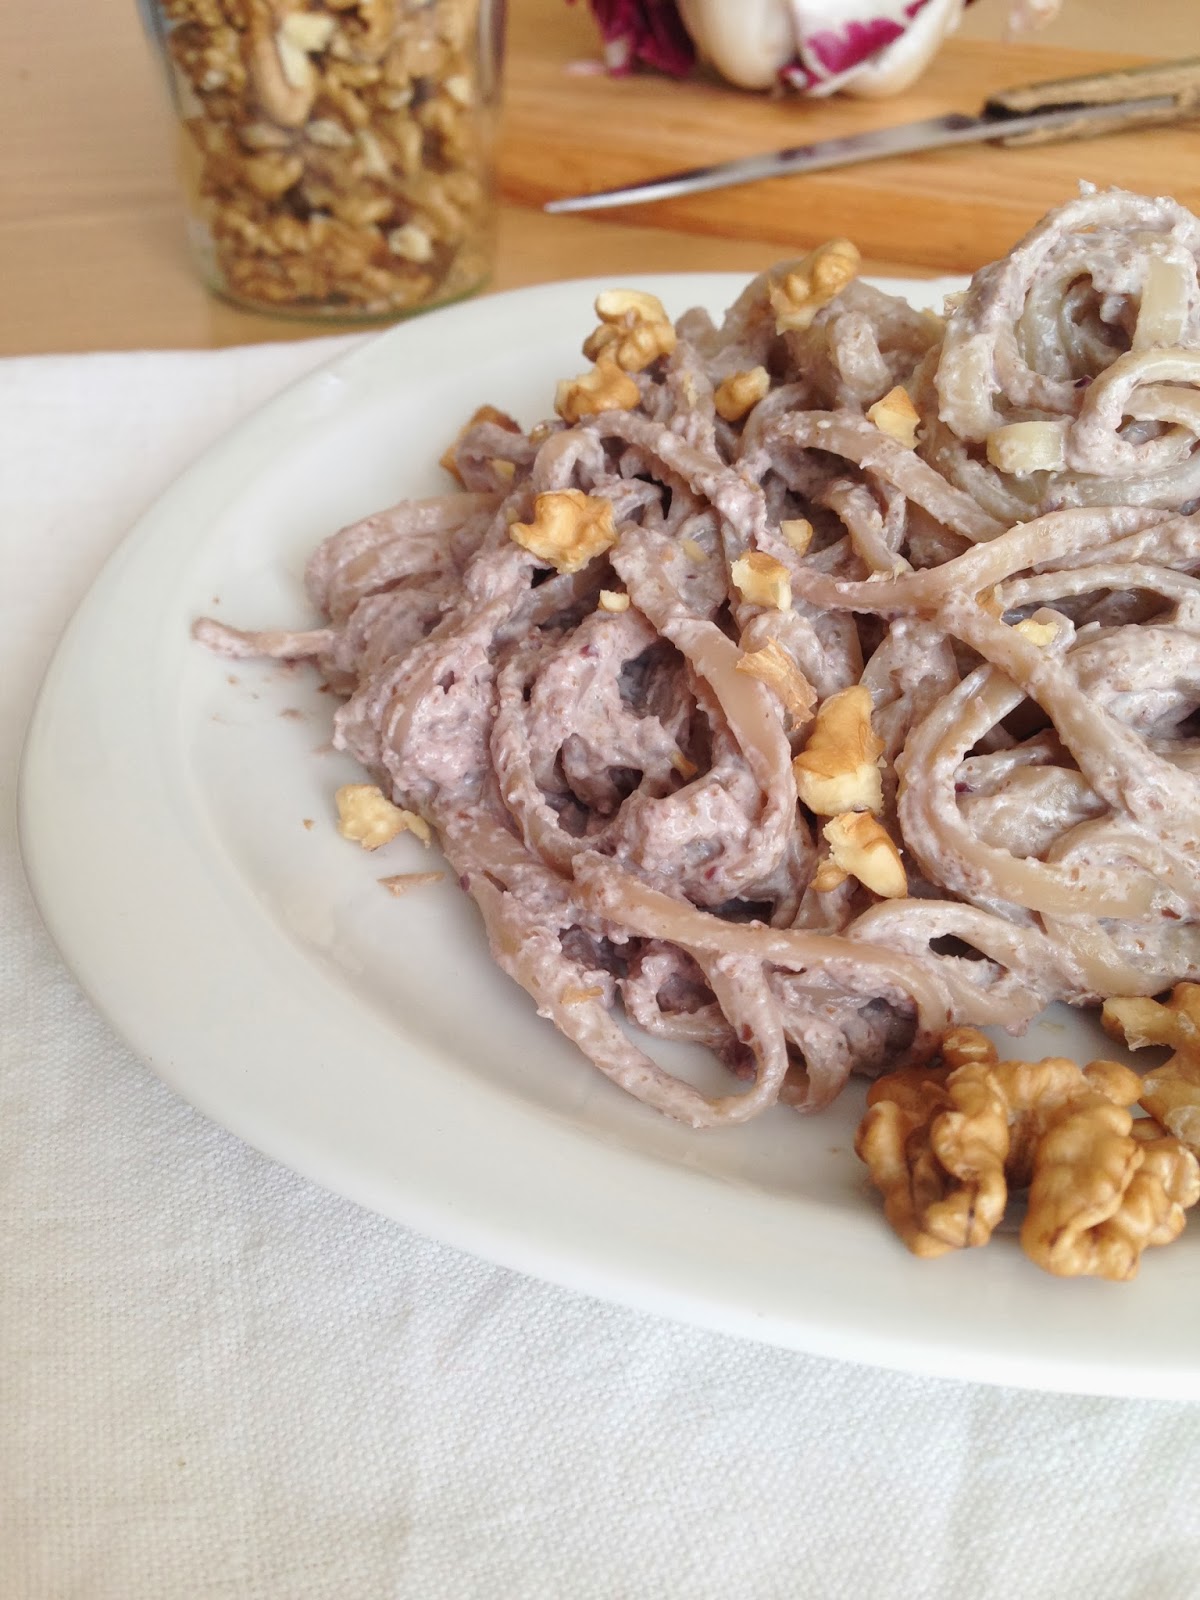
point(1031, 114)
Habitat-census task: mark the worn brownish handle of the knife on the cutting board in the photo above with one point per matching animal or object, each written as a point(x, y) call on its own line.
point(1175, 81)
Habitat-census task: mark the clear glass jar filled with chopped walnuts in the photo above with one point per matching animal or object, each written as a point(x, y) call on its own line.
point(337, 154)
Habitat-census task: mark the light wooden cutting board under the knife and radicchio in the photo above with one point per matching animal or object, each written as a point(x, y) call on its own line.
point(569, 132)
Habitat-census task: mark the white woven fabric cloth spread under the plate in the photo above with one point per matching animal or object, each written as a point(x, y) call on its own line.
point(218, 1380)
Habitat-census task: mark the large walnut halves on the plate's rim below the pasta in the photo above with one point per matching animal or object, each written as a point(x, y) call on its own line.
point(948, 1143)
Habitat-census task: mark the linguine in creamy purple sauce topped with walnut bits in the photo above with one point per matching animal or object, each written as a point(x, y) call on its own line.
point(606, 745)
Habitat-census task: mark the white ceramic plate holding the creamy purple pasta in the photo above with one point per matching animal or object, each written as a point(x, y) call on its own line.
point(369, 1042)
